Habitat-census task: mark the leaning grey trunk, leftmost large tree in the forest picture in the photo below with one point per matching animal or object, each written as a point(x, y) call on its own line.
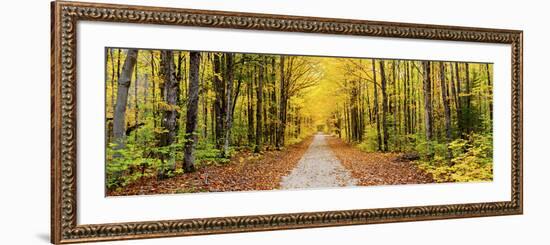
point(124, 81)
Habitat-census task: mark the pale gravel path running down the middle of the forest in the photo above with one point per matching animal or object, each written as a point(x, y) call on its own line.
point(318, 167)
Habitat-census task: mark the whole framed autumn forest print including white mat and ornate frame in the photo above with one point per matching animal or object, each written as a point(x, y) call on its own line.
point(174, 122)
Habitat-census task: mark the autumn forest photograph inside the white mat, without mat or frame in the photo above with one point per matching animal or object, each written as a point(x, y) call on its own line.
point(194, 121)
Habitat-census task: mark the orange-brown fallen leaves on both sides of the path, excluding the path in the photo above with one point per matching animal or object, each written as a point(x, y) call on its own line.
point(249, 171)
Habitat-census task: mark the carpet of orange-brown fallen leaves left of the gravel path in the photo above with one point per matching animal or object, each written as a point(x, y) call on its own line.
point(245, 172)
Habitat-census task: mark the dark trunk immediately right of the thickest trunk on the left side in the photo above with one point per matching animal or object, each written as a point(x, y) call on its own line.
point(192, 112)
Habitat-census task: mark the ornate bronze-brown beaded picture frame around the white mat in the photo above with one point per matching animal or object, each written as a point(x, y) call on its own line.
point(64, 18)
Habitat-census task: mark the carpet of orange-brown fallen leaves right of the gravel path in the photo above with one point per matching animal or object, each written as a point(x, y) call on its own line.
point(374, 168)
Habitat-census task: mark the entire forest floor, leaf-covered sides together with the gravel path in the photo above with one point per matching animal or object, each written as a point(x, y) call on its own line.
point(316, 162)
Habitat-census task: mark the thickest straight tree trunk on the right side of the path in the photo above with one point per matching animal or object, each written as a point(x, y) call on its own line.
point(427, 87)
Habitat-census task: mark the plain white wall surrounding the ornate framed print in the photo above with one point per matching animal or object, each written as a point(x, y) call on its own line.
point(25, 121)
